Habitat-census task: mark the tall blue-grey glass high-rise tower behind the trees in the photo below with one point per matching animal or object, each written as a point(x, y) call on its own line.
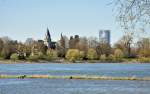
point(104, 36)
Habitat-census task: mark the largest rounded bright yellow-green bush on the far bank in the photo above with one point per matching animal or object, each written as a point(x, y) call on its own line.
point(72, 55)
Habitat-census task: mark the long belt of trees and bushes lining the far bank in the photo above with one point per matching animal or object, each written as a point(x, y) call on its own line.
point(76, 49)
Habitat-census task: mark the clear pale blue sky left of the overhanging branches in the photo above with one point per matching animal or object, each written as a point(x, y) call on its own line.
point(22, 19)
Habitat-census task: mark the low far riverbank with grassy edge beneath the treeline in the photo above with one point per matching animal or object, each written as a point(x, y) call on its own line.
point(68, 62)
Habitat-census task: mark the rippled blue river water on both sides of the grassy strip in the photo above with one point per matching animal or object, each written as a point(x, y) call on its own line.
point(66, 86)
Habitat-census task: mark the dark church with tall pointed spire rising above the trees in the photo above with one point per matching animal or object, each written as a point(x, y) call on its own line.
point(48, 41)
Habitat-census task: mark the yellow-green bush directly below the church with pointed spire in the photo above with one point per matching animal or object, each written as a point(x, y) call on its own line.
point(51, 54)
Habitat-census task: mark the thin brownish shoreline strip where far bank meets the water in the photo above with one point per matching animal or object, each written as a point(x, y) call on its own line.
point(65, 62)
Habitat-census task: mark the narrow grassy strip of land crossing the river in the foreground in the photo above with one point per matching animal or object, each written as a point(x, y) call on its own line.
point(85, 77)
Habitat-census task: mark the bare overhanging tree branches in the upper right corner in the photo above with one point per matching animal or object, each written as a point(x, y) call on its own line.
point(133, 15)
